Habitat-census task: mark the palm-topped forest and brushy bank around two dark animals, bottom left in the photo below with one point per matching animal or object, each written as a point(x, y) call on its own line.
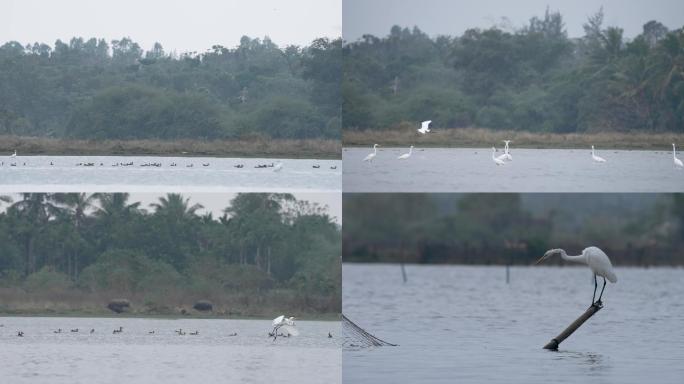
point(266, 252)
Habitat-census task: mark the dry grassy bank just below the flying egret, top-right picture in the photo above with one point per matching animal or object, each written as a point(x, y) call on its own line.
point(482, 138)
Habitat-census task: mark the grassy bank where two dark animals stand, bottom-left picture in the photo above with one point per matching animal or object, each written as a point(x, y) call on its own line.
point(76, 303)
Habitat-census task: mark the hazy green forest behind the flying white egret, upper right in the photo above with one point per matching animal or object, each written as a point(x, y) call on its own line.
point(534, 78)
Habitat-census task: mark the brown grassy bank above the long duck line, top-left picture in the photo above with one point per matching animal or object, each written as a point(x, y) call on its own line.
point(256, 147)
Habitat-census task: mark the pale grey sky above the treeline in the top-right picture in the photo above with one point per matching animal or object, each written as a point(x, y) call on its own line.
point(453, 17)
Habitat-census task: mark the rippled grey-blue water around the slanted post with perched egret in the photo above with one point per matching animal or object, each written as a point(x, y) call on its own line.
point(458, 324)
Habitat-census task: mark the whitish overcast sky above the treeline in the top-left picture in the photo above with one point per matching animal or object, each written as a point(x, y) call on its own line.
point(180, 25)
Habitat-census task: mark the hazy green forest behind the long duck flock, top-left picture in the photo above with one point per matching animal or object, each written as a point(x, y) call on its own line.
point(94, 89)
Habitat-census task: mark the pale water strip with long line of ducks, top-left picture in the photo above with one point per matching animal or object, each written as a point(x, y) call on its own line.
point(220, 176)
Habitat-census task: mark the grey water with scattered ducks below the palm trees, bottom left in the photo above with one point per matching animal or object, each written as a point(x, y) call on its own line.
point(135, 356)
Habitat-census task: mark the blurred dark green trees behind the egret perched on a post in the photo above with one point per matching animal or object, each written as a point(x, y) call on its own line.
point(633, 229)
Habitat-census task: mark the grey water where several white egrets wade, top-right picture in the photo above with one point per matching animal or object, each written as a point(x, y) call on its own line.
point(532, 170)
